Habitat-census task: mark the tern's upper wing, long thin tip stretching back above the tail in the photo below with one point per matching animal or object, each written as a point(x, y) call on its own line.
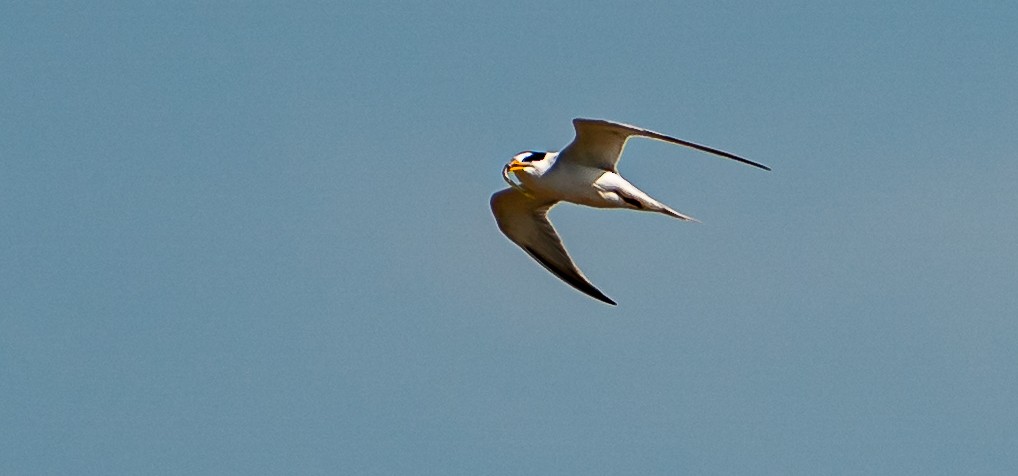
point(599, 144)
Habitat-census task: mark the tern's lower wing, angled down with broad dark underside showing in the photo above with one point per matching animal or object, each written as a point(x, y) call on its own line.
point(525, 221)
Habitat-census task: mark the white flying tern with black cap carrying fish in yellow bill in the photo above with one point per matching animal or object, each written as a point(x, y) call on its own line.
point(584, 173)
